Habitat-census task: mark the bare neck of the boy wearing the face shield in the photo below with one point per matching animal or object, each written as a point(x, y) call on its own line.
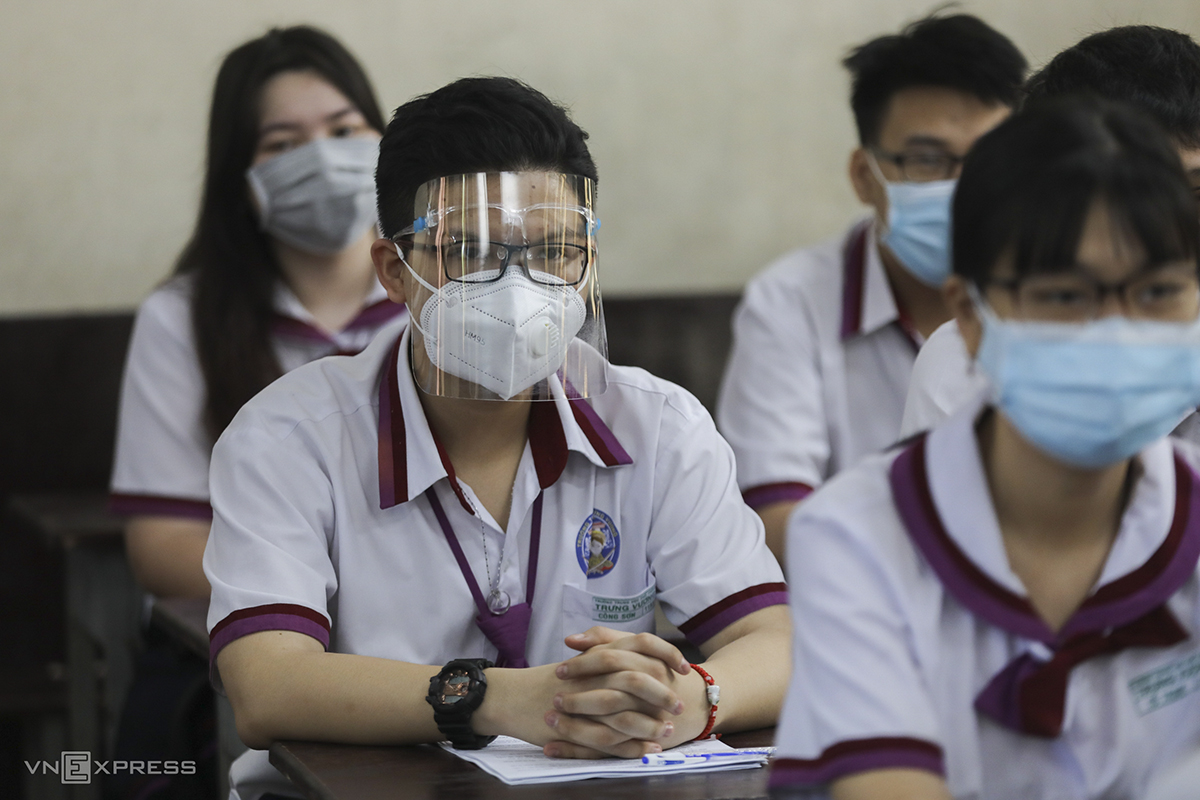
point(484, 442)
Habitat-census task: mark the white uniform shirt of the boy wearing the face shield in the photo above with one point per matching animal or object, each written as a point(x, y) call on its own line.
point(321, 522)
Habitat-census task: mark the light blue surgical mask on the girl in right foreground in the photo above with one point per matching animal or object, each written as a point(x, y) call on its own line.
point(1091, 394)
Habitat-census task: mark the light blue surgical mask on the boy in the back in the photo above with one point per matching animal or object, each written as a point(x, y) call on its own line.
point(919, 228)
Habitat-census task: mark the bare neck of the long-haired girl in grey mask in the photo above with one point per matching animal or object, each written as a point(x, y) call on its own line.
point(331, 287)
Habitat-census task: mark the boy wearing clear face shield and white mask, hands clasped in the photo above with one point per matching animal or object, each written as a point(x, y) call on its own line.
point(464, 531)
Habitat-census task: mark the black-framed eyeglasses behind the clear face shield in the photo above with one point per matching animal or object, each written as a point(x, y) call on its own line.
point(549, 263)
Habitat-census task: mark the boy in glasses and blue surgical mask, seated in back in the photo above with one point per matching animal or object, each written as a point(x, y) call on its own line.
point(825, 339)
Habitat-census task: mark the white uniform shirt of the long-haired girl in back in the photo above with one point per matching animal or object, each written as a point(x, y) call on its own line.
point(163, 448)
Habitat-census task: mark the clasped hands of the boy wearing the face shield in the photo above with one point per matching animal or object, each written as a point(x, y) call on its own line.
point(626, 695)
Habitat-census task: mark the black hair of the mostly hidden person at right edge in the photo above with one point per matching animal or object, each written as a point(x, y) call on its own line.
point(1154, 69)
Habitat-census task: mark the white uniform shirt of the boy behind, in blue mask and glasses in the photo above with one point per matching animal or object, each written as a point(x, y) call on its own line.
point(819, 370)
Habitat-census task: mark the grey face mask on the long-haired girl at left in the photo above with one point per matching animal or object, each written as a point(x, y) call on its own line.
point(319, 197)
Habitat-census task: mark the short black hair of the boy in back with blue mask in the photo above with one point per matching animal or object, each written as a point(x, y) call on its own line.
point(958, 52)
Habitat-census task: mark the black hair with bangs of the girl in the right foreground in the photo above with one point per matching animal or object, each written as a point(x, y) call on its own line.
point(1028, 187)
